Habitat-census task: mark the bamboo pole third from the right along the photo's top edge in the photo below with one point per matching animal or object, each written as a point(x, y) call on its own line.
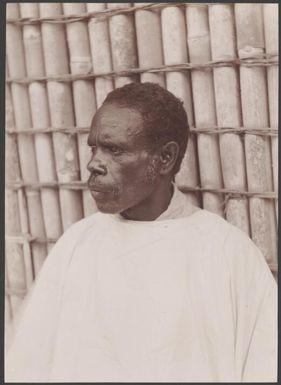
point(223, 44)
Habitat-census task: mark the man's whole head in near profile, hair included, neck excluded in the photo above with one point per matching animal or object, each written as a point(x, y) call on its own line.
point(138, 139)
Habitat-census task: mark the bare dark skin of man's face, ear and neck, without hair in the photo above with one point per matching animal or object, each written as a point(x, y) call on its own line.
point(128, 176)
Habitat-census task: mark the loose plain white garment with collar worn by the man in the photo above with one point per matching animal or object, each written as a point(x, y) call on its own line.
point(189, 299)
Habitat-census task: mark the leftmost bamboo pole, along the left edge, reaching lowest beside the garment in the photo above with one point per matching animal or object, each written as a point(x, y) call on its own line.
point(15, 268)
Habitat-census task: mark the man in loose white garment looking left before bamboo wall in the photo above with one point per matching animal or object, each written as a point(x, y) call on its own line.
point(150, 288)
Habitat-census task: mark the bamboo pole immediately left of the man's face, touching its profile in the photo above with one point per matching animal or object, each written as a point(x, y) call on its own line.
point(83, 90)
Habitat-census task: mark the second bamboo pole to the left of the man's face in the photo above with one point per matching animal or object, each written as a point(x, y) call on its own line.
point(61, 111)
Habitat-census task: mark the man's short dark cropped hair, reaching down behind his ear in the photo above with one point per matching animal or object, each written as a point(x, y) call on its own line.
point(163, 113)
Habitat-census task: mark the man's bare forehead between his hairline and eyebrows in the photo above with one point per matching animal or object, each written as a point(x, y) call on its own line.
point(114, 122)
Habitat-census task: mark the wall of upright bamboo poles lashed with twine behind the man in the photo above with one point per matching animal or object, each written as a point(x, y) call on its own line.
point(63, 59)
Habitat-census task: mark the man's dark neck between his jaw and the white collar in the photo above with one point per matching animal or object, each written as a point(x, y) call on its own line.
point(153, 206)
